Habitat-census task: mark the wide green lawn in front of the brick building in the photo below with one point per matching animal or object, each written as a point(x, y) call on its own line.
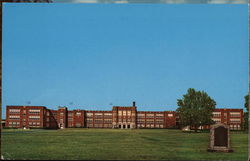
point(110, 144)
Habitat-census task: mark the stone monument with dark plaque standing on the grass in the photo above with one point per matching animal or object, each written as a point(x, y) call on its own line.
point(220, 138)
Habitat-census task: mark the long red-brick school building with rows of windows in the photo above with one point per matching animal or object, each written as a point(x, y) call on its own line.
point(118, 117)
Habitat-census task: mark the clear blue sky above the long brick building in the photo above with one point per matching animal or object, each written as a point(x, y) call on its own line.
point(94, 56)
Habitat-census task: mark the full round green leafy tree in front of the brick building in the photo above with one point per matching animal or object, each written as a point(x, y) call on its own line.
point(195, 109)
